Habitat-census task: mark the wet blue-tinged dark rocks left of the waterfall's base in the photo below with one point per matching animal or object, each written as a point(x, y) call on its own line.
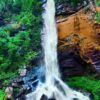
point(28, 81)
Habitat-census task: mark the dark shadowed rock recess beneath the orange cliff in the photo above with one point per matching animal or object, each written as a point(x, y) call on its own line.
point(71, 64)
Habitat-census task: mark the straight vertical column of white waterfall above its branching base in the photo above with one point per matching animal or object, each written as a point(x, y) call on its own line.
point(49, 41)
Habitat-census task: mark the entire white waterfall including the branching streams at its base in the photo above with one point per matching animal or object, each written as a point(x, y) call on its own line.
point(53, 87)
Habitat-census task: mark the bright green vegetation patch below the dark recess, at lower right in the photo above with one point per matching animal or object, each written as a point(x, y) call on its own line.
point(86, 83)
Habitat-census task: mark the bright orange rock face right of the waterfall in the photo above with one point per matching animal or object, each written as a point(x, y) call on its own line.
point(81, 24)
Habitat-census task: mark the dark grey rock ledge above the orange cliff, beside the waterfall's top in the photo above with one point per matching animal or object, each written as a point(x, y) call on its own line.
point(67, 7)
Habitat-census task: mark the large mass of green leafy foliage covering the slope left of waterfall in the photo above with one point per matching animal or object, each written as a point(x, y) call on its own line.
point(20, 37)
